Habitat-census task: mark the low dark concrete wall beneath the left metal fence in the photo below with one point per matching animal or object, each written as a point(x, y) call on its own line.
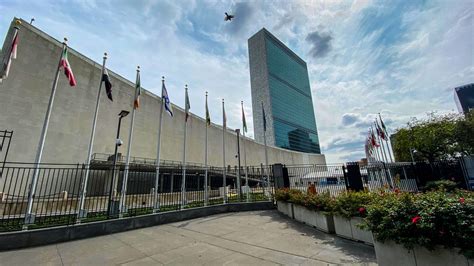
point(46, 236)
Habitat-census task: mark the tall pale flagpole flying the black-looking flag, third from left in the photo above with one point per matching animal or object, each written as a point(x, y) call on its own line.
point(82, 211)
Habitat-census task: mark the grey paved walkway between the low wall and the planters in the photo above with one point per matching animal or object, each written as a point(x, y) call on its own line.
point(246, 238)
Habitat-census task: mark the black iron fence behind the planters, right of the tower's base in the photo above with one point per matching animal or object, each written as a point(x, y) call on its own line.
point(403, 176)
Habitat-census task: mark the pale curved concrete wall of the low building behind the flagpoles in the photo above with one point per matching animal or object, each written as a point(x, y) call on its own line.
point(25, 93)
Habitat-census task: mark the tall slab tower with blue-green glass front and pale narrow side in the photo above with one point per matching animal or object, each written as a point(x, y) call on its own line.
point(279, 79)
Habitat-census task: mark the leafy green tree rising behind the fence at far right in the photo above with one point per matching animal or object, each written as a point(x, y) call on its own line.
point(437, 137)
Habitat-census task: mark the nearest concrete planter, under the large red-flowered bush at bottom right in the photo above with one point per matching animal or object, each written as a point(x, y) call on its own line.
point(390, 253)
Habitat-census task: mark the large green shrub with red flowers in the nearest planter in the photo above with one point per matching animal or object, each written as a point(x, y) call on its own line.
point(427, 219)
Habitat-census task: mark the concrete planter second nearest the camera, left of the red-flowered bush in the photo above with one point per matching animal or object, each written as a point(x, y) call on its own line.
point(347, 228)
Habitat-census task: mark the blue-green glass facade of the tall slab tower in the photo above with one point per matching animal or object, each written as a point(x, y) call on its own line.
point(294, 123)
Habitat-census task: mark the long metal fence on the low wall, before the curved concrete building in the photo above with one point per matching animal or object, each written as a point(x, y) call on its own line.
point(57, 197)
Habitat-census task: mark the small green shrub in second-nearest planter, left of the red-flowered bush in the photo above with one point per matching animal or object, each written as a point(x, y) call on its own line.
point(352, 204)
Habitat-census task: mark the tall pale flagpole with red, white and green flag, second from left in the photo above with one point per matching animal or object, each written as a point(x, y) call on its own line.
point(30, 218)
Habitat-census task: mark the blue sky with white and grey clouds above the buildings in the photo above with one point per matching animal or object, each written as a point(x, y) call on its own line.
point(398, 58)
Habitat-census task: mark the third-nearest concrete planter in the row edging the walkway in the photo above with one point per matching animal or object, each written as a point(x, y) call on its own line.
point(316, 219)
